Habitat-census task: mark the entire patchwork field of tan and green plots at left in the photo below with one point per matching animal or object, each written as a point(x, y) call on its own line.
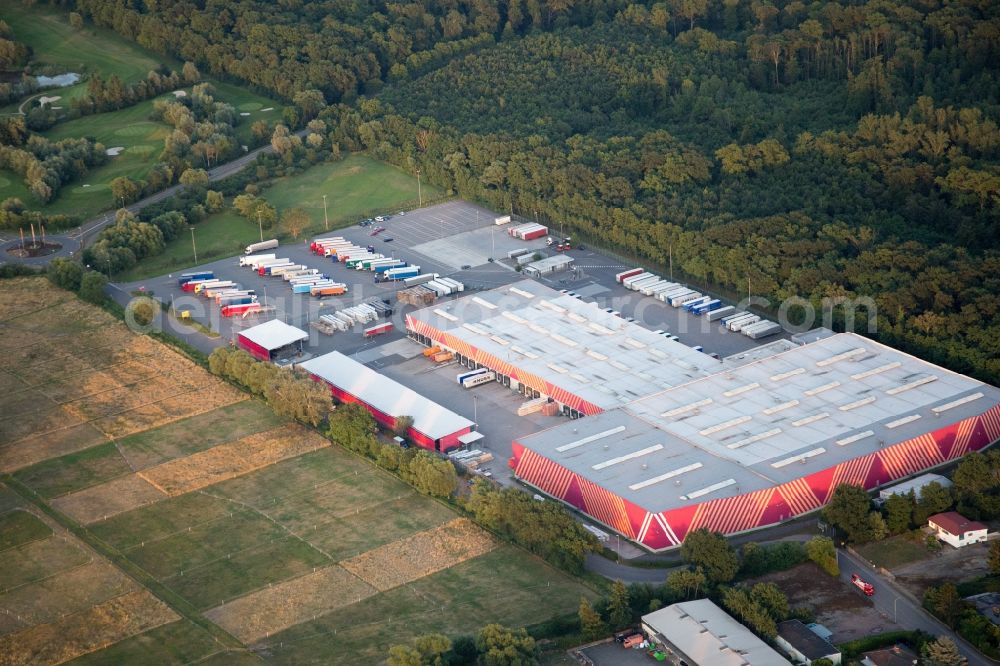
point(243, 536)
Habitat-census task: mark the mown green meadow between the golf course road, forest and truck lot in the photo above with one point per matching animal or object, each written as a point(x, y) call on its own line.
point(356, 187)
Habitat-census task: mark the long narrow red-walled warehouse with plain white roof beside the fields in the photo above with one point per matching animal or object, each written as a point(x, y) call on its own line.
point(434, 427)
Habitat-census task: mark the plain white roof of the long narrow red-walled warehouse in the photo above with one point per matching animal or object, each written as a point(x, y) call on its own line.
point(386, 395)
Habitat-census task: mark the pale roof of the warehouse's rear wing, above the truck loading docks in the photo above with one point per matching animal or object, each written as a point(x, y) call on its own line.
point(569, 343)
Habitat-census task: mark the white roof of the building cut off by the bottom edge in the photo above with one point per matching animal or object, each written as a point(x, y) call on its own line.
point(708, 636)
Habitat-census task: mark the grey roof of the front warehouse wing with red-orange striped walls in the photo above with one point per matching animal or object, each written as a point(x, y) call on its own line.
point(764, 423)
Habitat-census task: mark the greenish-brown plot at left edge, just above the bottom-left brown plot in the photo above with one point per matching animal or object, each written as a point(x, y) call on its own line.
point(64, 593)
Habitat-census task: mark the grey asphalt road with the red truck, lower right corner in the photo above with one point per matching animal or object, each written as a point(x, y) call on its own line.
point(897, 604)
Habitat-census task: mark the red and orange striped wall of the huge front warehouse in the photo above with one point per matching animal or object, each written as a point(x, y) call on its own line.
point(667, 529)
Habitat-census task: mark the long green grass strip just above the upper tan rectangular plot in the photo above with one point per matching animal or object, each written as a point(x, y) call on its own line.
point(102, 463)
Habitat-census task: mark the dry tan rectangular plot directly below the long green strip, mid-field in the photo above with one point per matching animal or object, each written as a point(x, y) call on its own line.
point(234, 459)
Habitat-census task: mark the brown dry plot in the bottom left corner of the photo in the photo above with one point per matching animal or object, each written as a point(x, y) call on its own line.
point(86, 631)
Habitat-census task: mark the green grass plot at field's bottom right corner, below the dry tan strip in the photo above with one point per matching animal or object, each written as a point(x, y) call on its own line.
point(504, 586)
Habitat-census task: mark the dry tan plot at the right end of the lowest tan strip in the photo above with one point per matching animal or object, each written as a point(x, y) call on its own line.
point(420, 555)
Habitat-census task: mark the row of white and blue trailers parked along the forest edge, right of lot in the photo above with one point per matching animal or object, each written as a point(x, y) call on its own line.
point(681, 296)
